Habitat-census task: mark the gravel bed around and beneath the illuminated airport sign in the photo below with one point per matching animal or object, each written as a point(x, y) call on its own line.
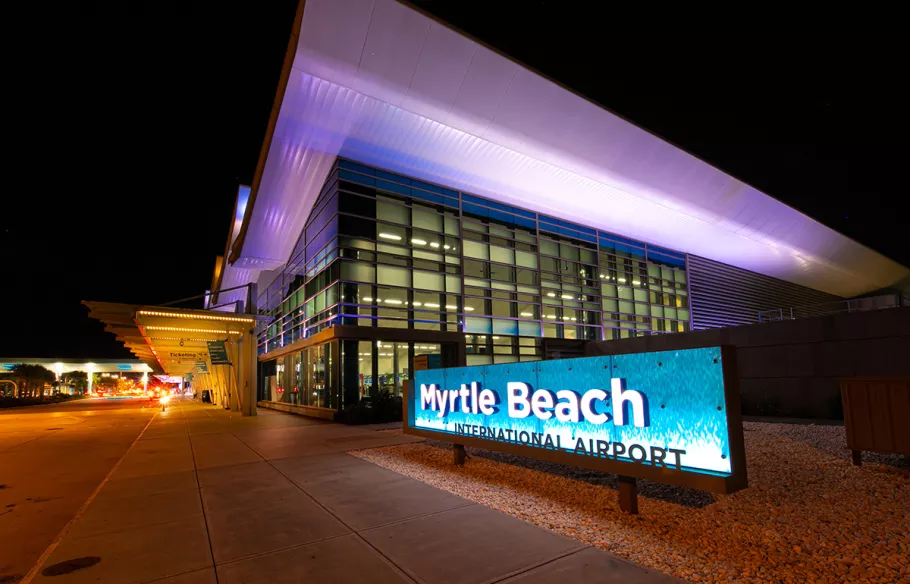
point(808, 515)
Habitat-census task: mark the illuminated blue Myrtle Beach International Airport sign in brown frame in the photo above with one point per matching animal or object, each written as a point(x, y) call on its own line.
point(659, 415)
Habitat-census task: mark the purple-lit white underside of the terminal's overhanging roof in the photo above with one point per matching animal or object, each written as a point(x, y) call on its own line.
point(378, 82)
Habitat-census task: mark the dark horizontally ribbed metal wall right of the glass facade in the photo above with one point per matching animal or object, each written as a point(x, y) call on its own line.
point(722, 295)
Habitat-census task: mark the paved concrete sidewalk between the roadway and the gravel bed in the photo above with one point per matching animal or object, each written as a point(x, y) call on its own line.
point(206, 496)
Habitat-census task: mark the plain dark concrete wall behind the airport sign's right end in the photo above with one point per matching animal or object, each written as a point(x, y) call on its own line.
point(791, 368)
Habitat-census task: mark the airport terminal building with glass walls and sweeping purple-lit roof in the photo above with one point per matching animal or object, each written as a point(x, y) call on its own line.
point(423, 201)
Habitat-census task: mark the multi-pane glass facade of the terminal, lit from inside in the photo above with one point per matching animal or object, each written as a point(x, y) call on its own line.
point(384, 250)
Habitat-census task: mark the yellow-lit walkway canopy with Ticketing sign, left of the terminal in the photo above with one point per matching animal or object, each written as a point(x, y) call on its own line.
point(175, 341)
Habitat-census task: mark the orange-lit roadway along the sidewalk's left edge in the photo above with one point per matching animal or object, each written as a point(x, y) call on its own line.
point(52, 458)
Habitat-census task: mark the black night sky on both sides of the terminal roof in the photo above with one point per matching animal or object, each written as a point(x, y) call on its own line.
point(150, 116)
